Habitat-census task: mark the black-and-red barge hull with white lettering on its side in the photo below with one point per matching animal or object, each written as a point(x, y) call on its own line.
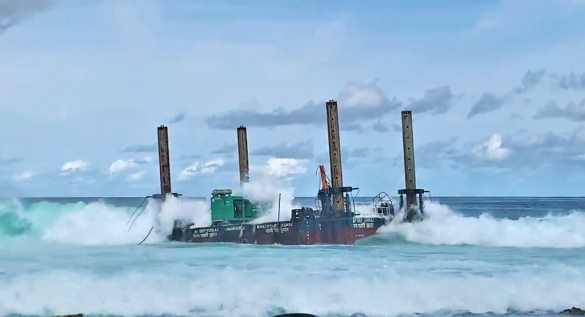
point(303, 232)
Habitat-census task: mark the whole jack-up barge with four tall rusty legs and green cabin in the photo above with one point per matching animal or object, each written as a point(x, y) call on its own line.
point(333, 222)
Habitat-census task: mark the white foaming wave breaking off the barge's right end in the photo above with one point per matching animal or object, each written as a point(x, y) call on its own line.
point(443, 226)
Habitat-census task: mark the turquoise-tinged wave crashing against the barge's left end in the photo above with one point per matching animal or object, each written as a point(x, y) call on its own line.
point(94, 223)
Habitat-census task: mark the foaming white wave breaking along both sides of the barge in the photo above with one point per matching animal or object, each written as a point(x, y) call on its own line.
point(103, 224)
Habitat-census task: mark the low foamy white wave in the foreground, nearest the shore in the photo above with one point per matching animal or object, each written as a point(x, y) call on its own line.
point(263, 289)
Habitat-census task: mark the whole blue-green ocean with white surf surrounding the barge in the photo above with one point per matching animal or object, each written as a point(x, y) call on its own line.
point(489, 256)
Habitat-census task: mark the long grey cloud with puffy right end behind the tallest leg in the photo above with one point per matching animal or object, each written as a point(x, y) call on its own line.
point(356, 102)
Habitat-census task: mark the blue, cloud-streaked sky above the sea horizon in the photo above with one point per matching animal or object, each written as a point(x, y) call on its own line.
point(496, 88)
